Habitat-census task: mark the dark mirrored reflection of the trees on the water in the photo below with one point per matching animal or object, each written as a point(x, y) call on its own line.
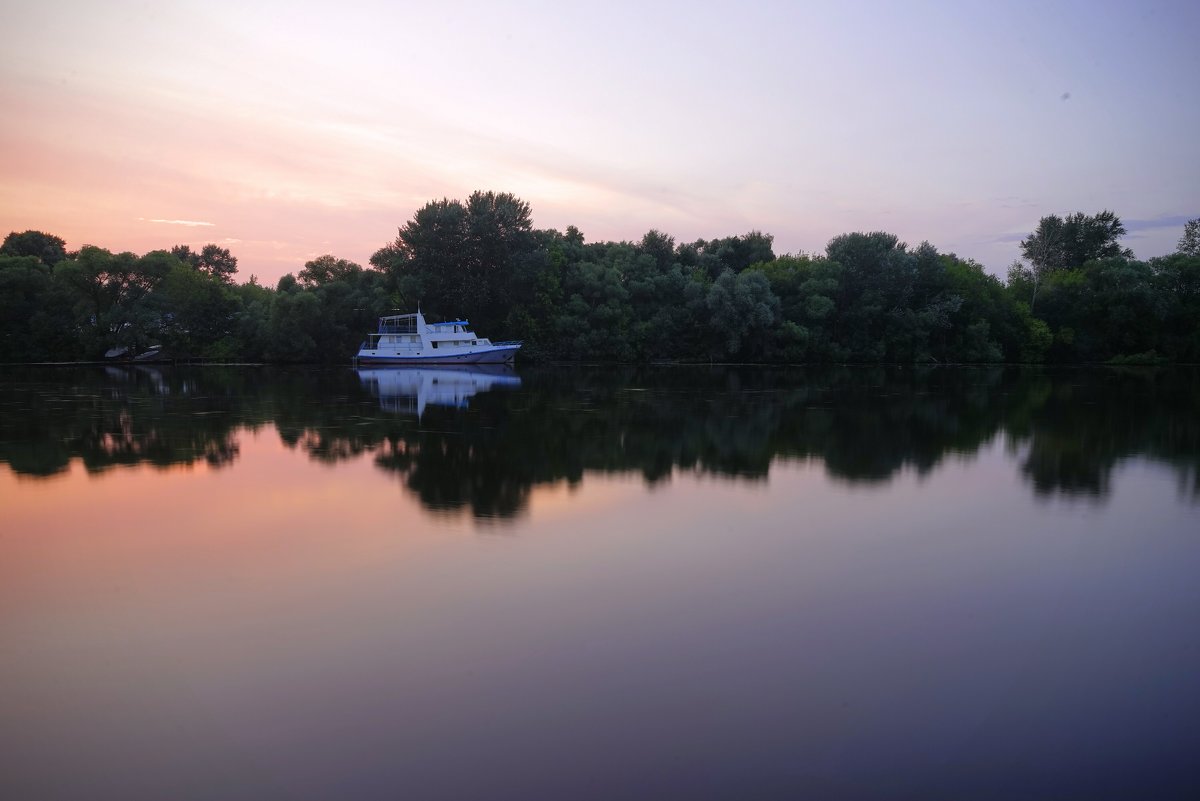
point(1070, 430)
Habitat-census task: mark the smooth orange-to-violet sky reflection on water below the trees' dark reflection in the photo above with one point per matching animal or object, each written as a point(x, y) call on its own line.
point(289, 627)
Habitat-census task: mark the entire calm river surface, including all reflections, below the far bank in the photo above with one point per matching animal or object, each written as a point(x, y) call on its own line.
point(860, 583)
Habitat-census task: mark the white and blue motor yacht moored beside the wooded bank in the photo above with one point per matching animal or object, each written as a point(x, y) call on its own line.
point(410, 340)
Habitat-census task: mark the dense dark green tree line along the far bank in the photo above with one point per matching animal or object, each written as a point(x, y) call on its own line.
point(1076, 297)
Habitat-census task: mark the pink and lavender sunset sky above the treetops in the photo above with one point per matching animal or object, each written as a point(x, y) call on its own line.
point(289, 130)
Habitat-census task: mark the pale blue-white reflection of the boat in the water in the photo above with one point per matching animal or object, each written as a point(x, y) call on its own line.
point(409, 390)
